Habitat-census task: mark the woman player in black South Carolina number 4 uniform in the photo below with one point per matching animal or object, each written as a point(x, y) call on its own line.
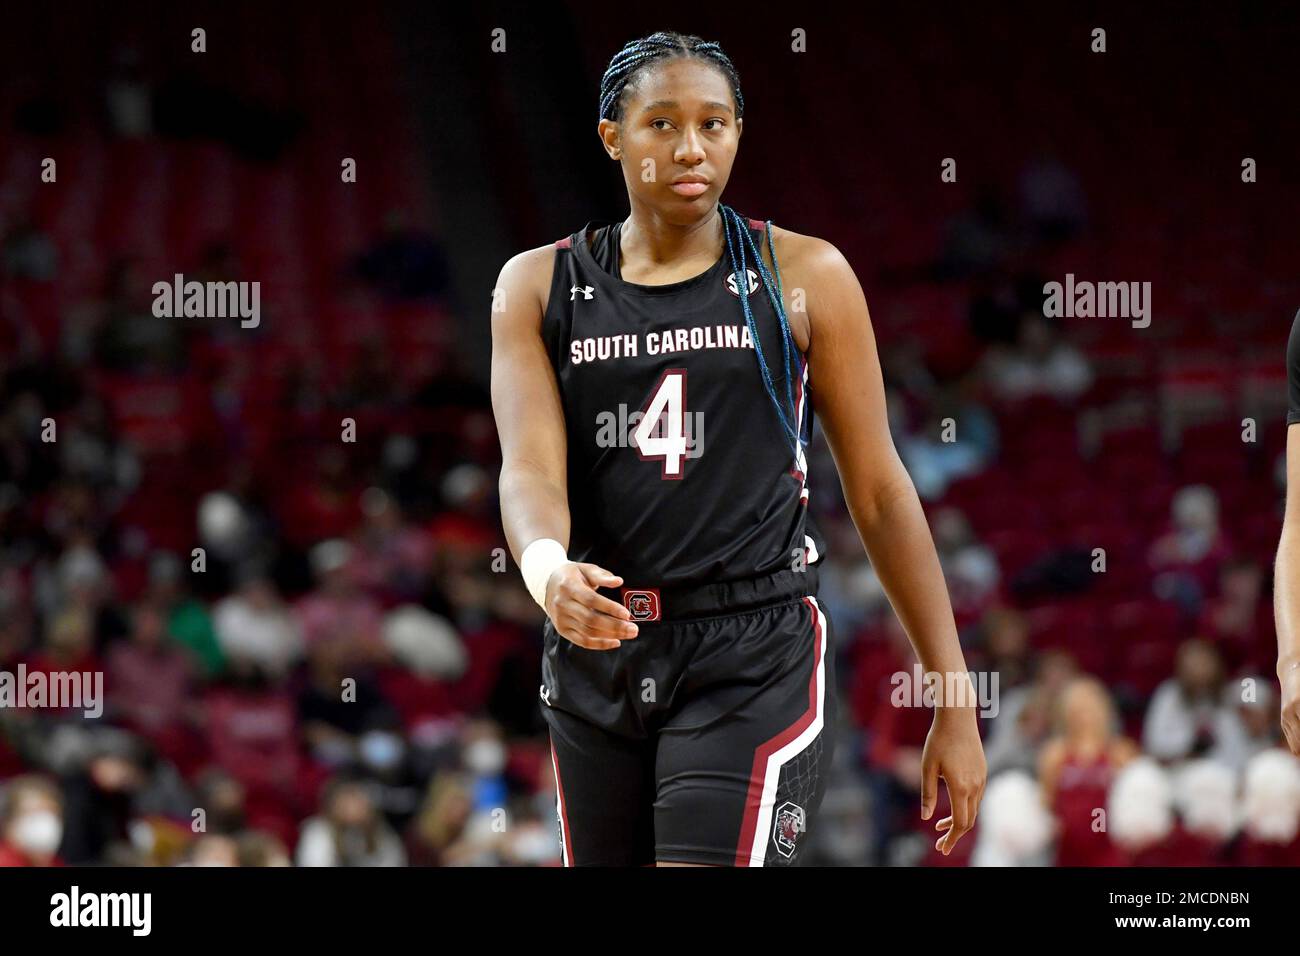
point(653, 383)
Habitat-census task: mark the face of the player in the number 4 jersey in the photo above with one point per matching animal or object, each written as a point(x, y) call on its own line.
point(679, 123)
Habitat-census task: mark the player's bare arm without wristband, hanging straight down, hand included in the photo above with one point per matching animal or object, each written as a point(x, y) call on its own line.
point(844, 375)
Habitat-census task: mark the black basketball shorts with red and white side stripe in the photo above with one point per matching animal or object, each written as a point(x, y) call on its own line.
point(707, 739)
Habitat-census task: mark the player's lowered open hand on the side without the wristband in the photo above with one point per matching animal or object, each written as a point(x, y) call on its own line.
point(955, 752)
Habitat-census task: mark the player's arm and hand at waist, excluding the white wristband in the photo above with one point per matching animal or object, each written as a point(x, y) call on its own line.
point(535, 447)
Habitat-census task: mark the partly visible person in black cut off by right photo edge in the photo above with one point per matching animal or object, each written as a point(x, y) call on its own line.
point(1286, 578)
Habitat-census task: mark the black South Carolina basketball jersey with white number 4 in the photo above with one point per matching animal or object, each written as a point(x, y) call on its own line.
point(681, 471)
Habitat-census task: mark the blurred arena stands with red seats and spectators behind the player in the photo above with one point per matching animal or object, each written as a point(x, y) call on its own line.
point(378, 560)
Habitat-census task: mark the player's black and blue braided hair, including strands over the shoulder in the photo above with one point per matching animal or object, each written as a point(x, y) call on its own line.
point(626, 66)
